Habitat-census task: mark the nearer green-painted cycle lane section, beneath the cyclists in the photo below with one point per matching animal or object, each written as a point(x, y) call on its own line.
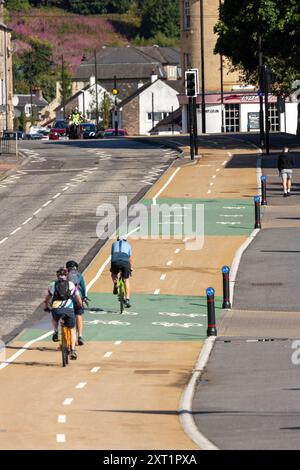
point(151, 318)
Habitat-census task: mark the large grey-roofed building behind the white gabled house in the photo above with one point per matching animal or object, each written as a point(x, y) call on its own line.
point(132, 67)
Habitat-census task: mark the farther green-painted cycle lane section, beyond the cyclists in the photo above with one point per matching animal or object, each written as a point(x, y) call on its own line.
point(218, 217)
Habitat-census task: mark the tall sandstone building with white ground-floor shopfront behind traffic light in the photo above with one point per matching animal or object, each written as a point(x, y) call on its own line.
point(231, 106)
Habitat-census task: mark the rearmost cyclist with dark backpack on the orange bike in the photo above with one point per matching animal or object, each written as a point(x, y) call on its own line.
point(59, 300)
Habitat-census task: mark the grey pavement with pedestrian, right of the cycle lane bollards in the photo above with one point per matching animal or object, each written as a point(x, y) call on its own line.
point(248, 396)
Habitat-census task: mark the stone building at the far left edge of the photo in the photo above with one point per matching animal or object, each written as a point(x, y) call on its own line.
point(6, 76)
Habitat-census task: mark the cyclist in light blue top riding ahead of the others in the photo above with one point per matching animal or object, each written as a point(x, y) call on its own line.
point(121, 262)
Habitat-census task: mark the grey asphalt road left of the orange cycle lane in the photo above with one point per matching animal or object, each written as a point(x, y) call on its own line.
point(48, 213)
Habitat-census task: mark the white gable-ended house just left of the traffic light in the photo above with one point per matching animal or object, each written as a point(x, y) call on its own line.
point(140, 112)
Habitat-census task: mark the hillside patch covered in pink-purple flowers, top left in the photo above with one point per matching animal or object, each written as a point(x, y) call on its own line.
point(69, 34)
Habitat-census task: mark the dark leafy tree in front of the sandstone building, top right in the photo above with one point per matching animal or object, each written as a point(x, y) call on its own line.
point(277, 21)
